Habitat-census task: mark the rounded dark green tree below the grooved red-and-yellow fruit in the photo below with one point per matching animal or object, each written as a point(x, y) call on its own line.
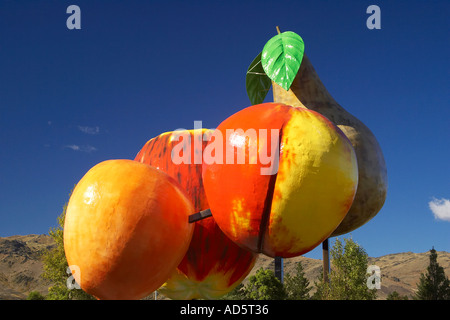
point(264, 286)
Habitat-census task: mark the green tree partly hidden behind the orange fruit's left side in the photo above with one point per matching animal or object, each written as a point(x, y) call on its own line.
point(55, 267)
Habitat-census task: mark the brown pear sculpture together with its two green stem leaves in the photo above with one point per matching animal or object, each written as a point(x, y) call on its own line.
point(301, 87)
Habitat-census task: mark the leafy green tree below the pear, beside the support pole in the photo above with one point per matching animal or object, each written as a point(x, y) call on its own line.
point(348, 275)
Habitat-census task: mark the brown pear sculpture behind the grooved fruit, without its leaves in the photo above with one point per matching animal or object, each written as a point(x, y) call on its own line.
point(307, 91)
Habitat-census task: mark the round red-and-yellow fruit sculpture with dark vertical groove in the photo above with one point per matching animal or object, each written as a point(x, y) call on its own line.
point(282, 209)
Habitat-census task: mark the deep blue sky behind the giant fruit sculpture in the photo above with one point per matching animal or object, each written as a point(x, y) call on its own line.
point(70, 99)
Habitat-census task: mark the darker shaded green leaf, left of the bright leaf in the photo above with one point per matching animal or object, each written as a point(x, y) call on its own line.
point(257, 82)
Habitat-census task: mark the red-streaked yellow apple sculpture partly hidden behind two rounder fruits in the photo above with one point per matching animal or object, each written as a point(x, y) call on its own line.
point(213, 264)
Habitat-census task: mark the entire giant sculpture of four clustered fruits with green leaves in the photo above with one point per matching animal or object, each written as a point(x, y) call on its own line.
point(128, 226)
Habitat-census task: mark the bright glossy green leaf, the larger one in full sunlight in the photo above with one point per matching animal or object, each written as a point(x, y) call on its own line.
point(282, 56)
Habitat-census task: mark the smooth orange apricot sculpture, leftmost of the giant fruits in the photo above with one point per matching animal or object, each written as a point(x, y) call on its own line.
point(126, 229)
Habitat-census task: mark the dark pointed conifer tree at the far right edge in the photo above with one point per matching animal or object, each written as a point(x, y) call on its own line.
point(434, 285)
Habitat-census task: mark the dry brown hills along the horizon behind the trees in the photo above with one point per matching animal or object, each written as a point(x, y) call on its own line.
point(21, 267)
